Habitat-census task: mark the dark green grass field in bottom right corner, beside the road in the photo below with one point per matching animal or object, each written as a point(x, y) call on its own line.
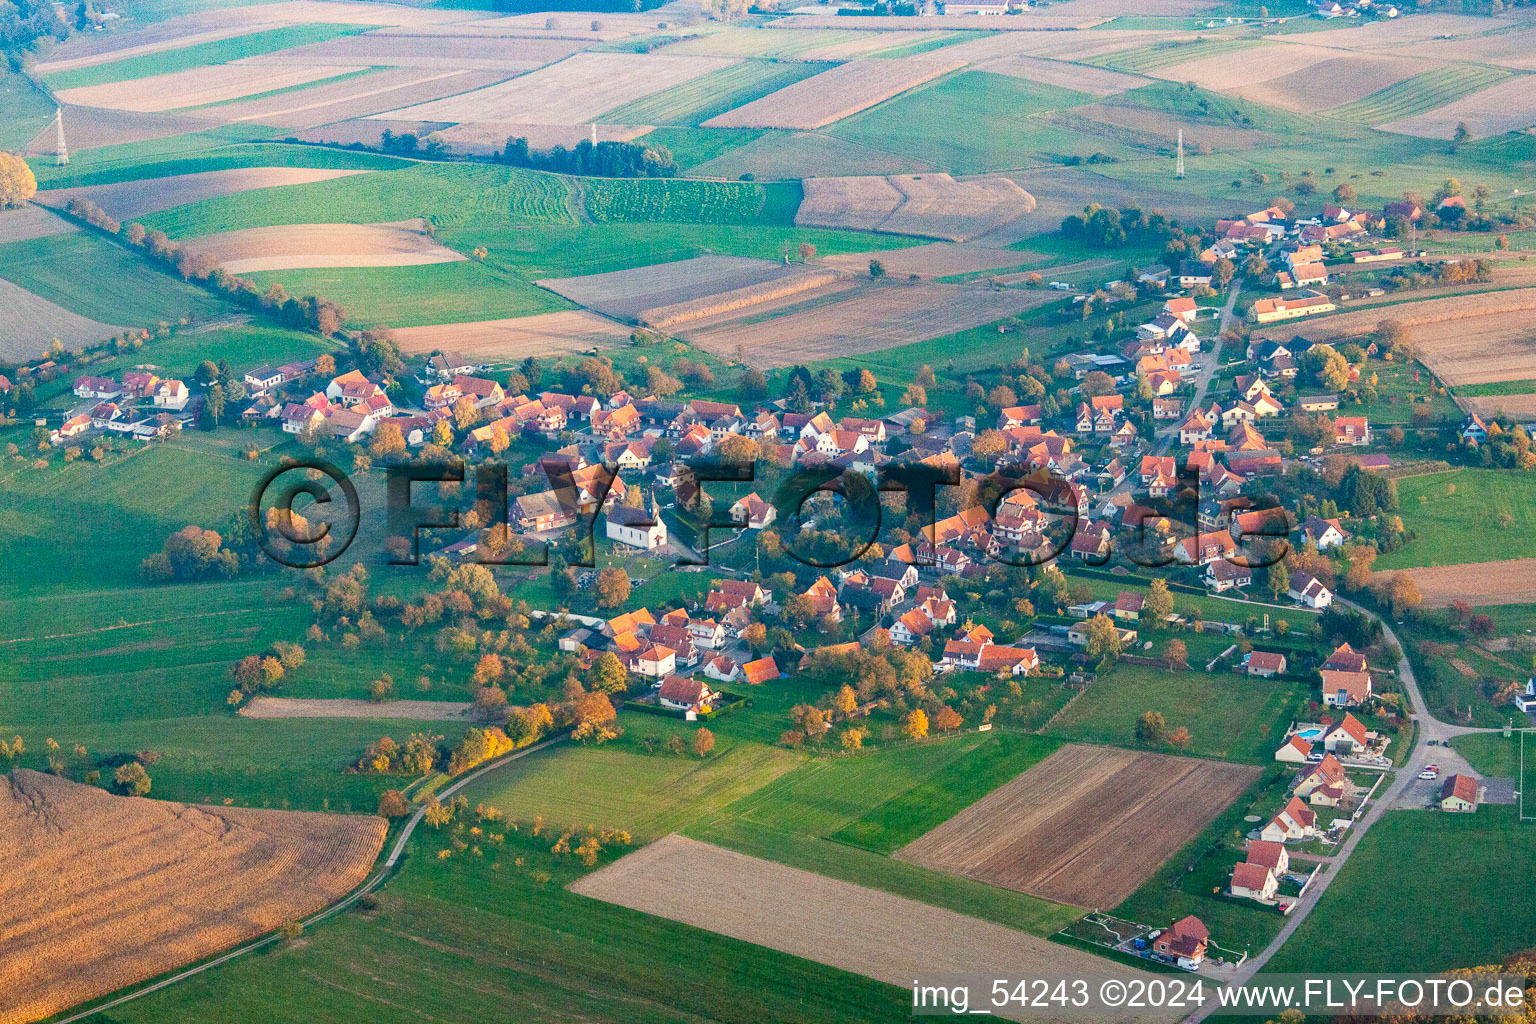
point(1425, 891)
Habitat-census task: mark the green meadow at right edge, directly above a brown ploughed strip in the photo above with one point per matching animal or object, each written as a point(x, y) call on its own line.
point(1466, 526)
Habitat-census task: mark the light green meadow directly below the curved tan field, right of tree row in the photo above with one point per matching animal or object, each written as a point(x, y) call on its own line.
point(409, 297)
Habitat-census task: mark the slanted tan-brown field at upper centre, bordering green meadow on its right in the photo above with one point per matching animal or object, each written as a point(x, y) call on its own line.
point(835, 94)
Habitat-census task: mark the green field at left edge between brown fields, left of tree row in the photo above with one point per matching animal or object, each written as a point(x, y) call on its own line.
point(96, 279)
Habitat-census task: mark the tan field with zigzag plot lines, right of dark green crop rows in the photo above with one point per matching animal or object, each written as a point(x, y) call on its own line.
point(930, 205)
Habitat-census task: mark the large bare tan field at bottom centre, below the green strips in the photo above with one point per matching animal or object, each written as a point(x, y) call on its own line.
point(838, 923)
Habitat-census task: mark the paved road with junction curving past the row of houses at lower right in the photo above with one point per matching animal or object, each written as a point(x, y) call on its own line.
point(1431, 728)
